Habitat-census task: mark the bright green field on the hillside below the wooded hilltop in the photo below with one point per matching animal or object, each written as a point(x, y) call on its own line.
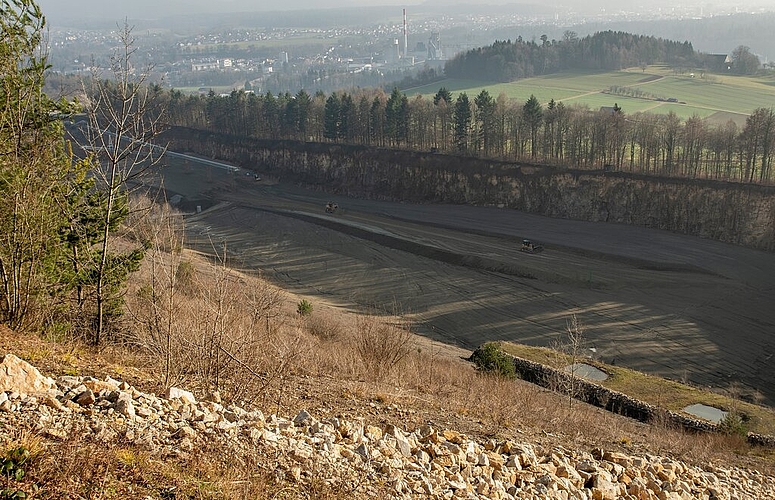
point(730, 97)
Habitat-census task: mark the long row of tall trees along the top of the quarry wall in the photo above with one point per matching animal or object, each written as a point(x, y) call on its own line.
point(553, 133)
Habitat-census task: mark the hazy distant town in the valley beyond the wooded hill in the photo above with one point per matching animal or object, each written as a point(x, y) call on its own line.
point(377, 47)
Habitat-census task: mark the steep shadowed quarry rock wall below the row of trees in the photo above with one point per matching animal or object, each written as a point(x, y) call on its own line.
point(732, 212)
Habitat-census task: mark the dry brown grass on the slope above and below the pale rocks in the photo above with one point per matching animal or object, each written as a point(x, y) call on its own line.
point(237, 334)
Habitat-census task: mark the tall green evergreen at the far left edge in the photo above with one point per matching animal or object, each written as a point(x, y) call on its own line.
point(36, 170)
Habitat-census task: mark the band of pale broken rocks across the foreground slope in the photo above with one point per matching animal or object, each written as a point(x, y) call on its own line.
point(366, 460)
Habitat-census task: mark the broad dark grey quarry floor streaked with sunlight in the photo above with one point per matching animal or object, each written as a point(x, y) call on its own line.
point(667, 304)
